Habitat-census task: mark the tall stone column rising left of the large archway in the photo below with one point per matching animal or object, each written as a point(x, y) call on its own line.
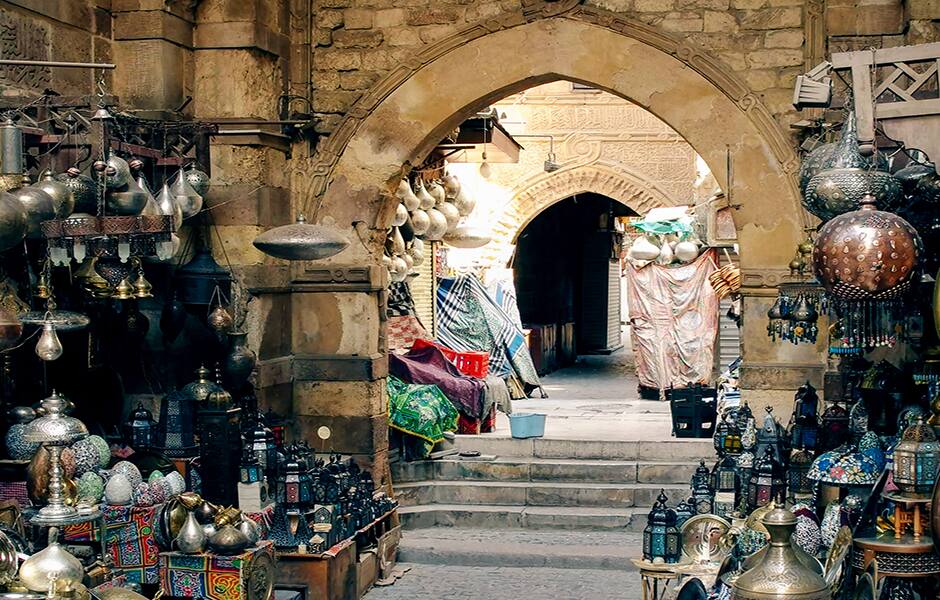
point(240, 57)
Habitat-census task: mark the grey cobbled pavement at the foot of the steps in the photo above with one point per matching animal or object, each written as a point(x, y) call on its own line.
point(435, 582)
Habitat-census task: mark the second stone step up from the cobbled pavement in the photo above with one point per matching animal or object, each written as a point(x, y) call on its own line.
point(632, 519)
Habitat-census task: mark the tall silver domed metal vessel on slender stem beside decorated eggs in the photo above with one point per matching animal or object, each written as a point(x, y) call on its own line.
point(55, 430)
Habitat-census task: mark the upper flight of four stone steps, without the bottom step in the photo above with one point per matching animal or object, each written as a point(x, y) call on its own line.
point(546, 483)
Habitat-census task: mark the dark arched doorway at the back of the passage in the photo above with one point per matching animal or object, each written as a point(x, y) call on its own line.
point(567, 275)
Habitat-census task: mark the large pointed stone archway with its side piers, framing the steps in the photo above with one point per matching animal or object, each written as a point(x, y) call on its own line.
point(338, 343)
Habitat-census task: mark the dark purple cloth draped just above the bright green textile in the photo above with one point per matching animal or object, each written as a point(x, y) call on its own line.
point(429, 365)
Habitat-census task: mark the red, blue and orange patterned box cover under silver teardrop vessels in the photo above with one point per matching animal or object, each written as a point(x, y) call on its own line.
point(208, 576)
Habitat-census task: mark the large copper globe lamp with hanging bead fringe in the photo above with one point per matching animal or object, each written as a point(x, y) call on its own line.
point(866, 260)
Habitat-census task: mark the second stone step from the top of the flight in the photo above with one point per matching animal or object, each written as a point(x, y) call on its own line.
point(544, 469)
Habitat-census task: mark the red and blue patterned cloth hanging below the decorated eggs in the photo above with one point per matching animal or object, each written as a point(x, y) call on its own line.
point(130, 540)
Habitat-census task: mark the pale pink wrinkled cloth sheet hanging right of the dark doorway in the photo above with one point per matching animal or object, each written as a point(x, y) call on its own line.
point(674, 313)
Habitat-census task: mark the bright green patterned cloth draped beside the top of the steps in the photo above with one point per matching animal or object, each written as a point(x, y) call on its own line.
point(420, 410)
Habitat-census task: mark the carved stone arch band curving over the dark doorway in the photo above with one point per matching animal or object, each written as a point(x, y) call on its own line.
point(532, 197)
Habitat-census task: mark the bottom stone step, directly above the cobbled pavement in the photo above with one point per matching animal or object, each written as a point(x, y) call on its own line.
point(528, 548)
